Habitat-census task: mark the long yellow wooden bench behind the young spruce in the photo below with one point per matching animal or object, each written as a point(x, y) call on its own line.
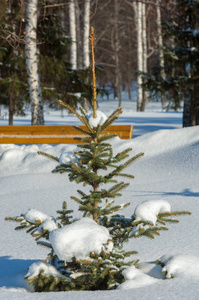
point(53, 134)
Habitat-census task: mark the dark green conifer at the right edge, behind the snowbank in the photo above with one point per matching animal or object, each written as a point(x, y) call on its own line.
point(181, 53)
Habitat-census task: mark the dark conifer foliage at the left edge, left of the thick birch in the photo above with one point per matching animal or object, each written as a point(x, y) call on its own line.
point(13, 82)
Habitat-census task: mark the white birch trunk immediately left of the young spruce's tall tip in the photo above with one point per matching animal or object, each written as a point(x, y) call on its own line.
point(86, 33)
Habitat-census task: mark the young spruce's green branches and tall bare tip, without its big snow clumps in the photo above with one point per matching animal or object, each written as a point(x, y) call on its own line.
point(99, 271)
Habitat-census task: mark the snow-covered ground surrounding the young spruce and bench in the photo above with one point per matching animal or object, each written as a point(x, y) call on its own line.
point(167, 172)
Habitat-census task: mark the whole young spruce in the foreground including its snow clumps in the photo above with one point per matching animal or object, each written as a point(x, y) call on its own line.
point(88, 253)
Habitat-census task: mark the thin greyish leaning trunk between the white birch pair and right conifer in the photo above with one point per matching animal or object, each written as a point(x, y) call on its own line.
point(160, 44)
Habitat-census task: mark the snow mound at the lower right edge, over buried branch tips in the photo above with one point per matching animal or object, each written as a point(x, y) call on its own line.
point(184, 265)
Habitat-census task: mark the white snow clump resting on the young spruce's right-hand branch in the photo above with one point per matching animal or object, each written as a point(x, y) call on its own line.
point(148, 210)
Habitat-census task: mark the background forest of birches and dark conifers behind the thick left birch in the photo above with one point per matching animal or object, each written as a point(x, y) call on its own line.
point(153, 43)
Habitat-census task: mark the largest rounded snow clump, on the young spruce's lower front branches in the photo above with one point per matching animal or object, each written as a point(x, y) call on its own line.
point(79, 239)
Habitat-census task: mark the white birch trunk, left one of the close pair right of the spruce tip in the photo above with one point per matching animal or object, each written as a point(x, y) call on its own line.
point(139, 55)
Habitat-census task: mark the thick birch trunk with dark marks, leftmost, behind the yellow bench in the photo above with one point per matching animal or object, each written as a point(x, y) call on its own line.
point(32, 63)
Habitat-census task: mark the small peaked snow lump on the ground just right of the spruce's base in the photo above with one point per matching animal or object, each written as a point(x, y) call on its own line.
point(134, 278)
